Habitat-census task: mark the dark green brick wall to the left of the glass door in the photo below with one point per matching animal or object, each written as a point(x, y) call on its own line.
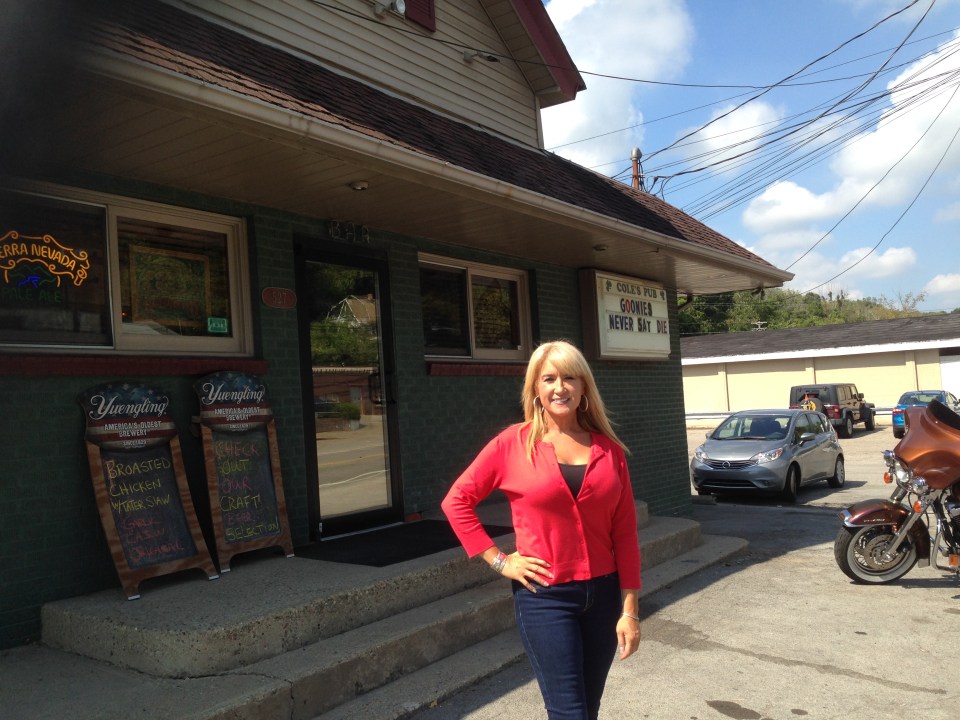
point(52, 545)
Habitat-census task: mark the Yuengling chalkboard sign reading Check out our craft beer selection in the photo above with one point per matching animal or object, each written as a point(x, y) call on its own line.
point(243, 466)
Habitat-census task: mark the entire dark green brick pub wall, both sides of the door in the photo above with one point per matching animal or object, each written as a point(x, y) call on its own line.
point(51, 542)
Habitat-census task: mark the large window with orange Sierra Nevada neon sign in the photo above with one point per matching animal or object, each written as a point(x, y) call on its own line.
point(102, 272)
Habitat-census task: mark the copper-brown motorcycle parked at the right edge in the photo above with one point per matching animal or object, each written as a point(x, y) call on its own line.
point(881, 540)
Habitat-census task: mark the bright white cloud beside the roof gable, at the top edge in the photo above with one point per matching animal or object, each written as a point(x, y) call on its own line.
point(620, 38)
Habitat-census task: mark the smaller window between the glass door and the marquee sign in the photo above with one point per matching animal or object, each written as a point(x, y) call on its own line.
point(474, 311)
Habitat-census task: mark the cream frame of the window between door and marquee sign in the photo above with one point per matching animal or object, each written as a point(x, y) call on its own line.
point(520, 277)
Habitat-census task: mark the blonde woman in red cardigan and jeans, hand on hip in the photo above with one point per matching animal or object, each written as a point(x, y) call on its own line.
point(576, 571)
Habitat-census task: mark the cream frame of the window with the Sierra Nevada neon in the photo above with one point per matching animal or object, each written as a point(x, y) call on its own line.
point(240, 342)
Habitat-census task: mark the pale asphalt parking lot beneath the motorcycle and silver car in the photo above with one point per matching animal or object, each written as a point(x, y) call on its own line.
point(776, 632)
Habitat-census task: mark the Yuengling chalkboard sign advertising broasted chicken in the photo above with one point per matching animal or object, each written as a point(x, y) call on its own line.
point(140, 485)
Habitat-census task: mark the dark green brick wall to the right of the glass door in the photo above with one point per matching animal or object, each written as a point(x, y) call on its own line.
point(445, 421)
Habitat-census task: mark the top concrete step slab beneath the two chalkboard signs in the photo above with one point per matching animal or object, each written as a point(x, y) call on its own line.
point(263, 608)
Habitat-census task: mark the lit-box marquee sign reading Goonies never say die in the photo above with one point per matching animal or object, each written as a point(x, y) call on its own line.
point(624, 318)
